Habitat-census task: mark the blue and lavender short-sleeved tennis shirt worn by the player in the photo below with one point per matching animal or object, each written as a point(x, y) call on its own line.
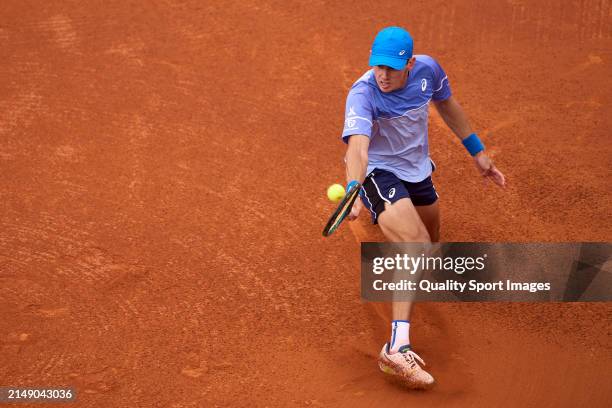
point(396, 122)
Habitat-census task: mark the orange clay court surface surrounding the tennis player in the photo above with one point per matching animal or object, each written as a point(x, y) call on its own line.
point(163, 177)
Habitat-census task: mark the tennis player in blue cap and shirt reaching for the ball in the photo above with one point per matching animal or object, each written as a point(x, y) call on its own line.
point(385, 128)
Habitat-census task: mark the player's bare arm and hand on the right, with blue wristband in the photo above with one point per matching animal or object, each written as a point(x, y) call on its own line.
point(456, 119)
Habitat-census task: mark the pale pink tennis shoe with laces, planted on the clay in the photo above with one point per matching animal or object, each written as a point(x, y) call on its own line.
point(404, 365)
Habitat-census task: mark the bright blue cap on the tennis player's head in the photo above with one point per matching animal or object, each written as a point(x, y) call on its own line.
point(392, 47)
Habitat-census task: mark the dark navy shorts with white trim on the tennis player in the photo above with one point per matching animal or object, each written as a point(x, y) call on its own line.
point(382, 186)
